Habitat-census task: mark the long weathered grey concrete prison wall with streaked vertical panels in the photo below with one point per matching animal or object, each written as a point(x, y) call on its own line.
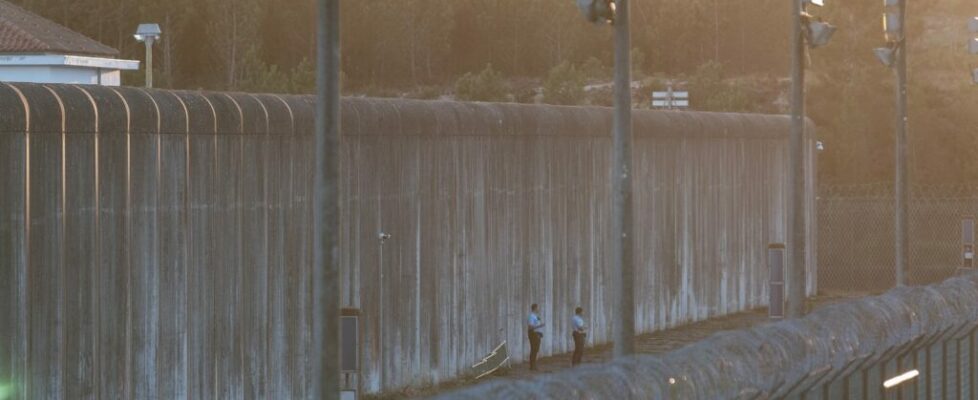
point(157, 243)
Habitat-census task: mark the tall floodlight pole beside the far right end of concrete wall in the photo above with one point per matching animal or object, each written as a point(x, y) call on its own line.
point(814, 32)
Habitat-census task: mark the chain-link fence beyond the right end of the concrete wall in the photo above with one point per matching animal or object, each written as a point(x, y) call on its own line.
point(856, 237)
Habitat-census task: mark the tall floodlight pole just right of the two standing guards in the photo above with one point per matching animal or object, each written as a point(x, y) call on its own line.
point(622, 244)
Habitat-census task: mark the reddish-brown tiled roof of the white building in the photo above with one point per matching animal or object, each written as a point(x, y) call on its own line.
point(24, 32)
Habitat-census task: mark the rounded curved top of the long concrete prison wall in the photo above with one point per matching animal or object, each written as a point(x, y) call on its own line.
point(90, 109)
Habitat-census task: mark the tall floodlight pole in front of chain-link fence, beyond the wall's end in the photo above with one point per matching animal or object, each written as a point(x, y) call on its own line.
point(895, 56)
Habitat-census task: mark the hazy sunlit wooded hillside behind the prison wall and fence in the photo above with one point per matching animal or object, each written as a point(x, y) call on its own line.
point(731, 54)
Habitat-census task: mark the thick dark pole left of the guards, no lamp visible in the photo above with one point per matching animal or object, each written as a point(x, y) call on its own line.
point(326, 290)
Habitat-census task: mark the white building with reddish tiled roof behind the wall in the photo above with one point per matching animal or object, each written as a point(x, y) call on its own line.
point(34, 49)
